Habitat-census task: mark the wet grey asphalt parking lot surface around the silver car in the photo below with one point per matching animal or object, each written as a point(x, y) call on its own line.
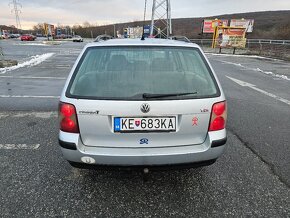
point(252, 178)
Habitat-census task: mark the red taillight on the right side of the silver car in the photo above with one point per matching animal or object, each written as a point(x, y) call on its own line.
point(218, 116)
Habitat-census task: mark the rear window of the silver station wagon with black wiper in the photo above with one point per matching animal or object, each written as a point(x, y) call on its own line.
point(133, 73)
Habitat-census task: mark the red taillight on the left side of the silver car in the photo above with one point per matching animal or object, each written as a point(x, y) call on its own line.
point(68, 118)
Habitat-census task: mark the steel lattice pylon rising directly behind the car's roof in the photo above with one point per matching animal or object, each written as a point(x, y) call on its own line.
point(161, 19)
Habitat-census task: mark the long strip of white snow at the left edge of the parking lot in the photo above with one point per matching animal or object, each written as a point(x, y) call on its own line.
point(35, 60)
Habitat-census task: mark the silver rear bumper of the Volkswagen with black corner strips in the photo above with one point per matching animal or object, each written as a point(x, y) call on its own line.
point(210, 150)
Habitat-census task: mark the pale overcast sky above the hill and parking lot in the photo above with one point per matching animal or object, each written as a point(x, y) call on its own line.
point(70, 12)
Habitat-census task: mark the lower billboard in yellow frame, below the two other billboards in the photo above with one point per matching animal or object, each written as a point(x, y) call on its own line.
point(228, 37)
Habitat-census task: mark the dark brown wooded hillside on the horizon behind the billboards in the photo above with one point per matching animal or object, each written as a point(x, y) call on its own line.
point(268, 25)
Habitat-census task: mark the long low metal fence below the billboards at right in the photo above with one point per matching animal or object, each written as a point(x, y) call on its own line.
point(265, 47)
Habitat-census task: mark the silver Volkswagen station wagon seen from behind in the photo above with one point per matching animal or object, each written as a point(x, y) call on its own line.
point(142, 103)
